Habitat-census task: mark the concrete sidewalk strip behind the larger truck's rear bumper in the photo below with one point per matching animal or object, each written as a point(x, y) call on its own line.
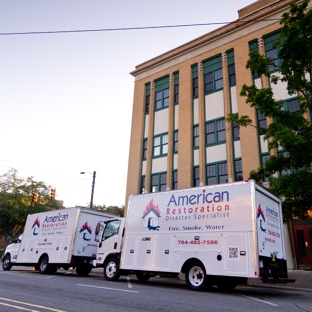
point(303, 281)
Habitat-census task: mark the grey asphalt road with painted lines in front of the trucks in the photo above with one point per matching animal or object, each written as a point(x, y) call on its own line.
point(22, 289)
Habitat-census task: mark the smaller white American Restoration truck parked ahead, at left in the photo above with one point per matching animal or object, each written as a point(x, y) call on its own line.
point(59, 238)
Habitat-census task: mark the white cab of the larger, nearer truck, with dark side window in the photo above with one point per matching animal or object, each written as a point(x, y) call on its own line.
point(111, 240)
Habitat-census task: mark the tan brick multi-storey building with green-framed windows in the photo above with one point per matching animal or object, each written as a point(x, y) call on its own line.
point(179, 136)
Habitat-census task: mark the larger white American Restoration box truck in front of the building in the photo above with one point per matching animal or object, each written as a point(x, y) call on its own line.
point(217, 235)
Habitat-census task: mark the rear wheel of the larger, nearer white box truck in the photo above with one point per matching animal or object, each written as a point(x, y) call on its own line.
point(196, 278)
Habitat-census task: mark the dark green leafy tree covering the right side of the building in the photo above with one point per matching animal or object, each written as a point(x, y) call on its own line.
point(290, 133)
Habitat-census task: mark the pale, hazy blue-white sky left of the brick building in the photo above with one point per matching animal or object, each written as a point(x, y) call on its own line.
point(66, 98)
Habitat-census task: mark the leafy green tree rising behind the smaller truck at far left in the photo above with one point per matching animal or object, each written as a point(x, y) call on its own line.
point(16, 202)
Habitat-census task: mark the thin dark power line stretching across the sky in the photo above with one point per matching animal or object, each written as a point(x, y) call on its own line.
point(127, 28)
